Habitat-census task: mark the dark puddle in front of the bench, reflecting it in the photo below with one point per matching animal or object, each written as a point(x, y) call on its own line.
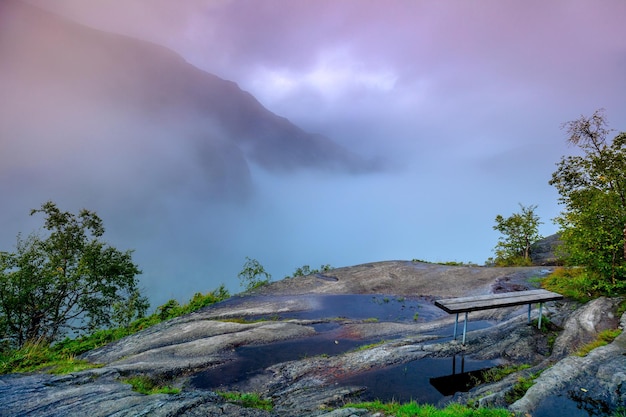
point(425, 381)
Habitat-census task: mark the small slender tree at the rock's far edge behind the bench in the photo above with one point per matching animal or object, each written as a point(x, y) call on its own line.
point(519, 233)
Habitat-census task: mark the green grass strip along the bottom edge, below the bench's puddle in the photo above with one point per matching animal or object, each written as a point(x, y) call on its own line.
point(413, 409)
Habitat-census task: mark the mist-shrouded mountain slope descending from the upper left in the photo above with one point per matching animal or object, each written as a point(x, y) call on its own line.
point(83, 107)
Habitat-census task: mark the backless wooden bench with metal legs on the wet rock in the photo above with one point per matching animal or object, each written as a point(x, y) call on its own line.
point(489, 301)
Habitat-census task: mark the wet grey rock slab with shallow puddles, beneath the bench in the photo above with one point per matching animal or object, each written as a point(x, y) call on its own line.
point(296, 314)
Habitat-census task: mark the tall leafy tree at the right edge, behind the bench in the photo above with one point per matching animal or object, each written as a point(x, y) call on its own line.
point(592, 187)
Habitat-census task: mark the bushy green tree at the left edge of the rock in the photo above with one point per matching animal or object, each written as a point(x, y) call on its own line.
point(68, 280)
